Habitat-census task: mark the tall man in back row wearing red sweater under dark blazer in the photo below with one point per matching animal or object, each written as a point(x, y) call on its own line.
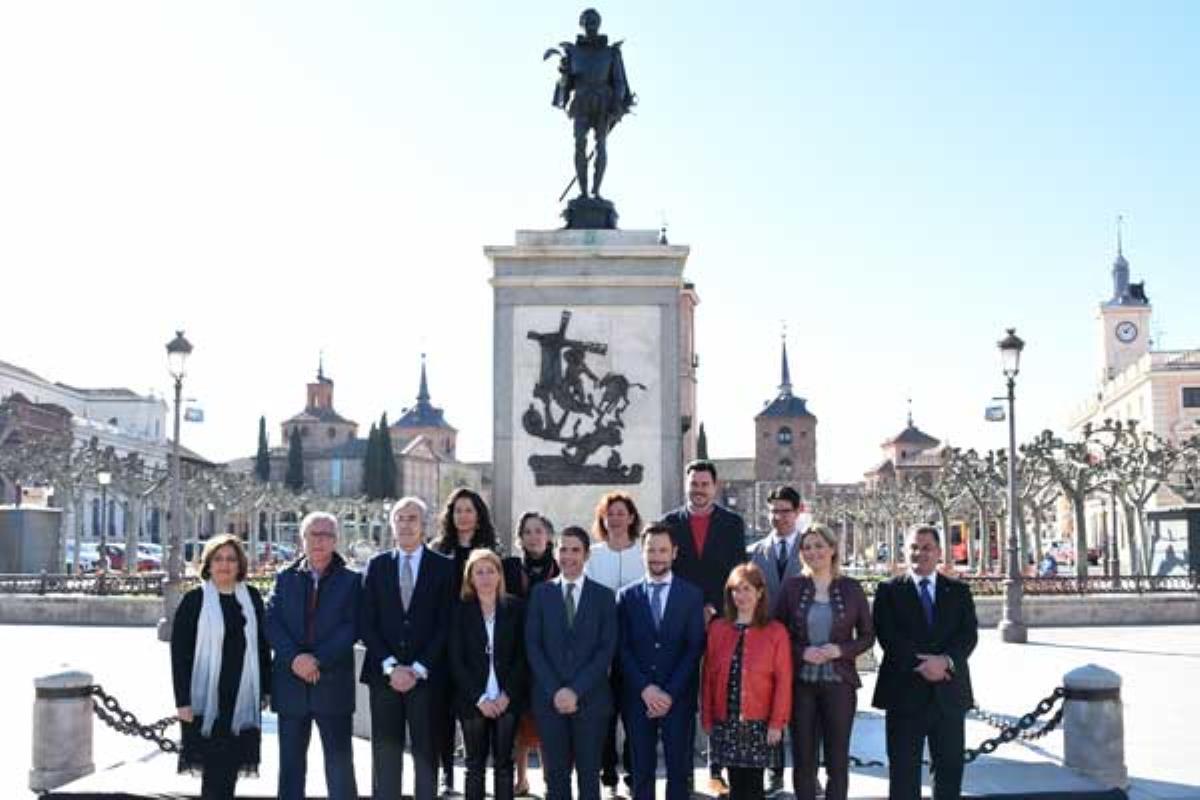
point(711, 542)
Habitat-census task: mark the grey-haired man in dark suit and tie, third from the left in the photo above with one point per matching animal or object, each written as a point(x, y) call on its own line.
point(407, 599)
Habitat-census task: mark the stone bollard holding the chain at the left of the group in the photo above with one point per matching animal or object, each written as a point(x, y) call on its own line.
point(63, 720)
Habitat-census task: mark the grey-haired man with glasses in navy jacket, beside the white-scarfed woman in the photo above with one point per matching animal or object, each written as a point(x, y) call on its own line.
point(313, 625)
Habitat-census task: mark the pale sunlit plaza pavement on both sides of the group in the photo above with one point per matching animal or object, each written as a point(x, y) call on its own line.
point(1160, 666)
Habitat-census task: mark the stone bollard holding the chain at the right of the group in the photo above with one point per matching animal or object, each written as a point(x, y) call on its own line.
point(1094, 725)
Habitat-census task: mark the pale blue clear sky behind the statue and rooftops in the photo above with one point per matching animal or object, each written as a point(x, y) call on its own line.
point(897, 183)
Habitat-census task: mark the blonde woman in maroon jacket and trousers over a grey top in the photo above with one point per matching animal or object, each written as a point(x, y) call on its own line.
point(830, 624)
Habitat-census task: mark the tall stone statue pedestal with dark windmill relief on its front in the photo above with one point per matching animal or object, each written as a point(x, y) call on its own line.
point(589, 356)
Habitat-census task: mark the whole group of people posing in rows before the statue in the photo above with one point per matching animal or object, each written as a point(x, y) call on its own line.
point(664, 628)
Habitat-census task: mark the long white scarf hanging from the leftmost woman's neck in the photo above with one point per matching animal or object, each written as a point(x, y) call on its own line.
point(207, 663)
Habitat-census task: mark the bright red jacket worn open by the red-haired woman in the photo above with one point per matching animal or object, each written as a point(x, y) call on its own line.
point(766, 675)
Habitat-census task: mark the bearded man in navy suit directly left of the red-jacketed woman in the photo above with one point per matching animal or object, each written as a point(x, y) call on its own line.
point(662, 625)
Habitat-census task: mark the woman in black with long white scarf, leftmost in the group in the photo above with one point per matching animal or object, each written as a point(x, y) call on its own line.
point(221, 670)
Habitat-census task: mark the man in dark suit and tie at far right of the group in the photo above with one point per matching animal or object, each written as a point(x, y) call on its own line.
point(927, 625)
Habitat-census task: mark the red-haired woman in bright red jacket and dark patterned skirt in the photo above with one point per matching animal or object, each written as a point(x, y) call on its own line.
point(748, 684)
